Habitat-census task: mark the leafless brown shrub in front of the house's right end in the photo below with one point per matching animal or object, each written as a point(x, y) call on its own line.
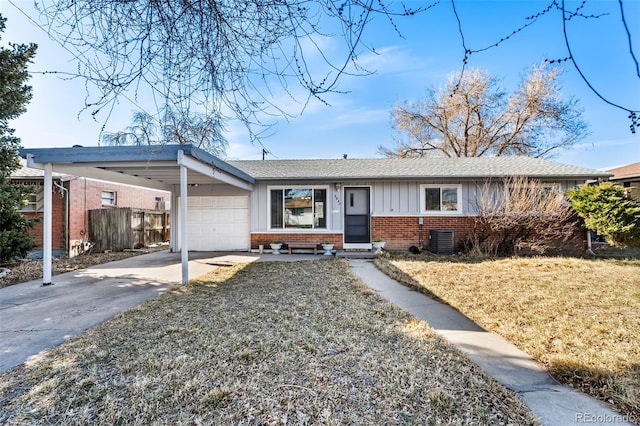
point(518, 213)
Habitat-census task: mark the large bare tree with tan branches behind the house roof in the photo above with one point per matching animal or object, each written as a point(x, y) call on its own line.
point(474, 117)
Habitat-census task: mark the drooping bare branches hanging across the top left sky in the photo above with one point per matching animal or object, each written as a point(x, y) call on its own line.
point(216, 56)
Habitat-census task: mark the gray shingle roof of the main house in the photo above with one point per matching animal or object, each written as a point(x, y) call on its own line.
point(396, 168)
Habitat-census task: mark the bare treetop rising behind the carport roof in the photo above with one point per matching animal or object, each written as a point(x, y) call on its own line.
point(200, 130)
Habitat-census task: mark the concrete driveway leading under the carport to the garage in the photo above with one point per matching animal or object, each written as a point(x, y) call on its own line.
point(34, 318)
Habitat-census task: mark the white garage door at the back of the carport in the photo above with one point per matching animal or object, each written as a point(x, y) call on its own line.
point(218, 223)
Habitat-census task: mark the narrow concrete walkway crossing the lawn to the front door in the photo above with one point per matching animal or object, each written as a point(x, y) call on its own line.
point(553, 403)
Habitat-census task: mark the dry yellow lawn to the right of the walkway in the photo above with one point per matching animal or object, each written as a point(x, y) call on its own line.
point(579, 317)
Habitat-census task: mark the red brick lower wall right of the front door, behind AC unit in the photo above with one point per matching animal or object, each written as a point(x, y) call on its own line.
point(402, 232)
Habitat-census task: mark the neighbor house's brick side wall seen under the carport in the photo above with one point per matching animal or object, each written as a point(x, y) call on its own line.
point(86, 194)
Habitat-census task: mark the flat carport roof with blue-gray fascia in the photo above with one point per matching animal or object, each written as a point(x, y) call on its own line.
point(151, 166)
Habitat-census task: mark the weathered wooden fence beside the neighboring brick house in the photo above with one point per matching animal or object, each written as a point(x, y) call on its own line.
point(118, 229)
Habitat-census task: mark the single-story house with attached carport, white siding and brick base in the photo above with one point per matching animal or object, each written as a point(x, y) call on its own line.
point(239, 205)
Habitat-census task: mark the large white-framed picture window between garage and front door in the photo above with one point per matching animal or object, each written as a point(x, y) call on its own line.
point(298, 208)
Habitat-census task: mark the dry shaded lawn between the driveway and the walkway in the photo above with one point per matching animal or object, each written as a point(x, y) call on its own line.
point(268, 343)
